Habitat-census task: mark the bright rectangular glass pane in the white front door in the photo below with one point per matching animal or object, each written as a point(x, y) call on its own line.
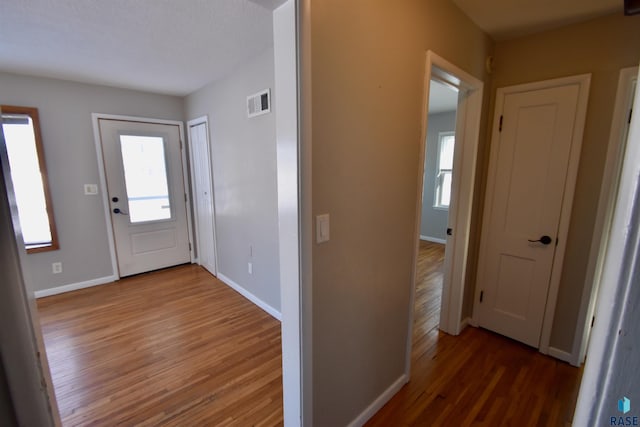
point(145, 174)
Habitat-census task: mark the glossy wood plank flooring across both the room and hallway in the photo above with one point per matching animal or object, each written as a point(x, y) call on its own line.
point(177, 347)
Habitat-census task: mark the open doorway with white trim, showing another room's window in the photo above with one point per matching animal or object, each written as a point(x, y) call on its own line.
point(446, 186)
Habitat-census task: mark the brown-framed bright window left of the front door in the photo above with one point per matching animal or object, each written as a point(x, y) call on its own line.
point(21, 129)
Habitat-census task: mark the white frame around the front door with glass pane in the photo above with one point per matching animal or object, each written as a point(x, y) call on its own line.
point(95, 119)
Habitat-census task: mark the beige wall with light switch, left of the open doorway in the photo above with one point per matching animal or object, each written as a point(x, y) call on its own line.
point(368, 61)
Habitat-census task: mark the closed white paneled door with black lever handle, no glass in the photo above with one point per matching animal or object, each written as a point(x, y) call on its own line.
point(527, 176)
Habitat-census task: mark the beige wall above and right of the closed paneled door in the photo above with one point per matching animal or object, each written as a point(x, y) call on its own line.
point(601, 47)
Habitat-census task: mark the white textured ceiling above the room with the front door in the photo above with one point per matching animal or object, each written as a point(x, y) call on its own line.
point(163, 46)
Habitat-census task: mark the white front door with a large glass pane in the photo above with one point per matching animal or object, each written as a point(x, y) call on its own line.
point(143, 167)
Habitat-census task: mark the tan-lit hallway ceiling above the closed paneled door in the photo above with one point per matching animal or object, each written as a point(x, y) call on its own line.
point(505, 19)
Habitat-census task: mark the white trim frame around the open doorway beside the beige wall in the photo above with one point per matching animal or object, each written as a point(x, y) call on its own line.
point(464, 170)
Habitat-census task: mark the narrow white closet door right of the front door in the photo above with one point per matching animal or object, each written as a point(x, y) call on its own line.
point(203, 195)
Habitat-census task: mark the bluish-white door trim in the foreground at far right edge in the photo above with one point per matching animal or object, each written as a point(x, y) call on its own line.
point(606, 370)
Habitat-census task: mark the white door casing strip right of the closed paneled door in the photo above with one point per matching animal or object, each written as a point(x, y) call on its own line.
point(606, 205)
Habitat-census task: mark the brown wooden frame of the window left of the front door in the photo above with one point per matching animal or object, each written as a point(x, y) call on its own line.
point(32, 112)
